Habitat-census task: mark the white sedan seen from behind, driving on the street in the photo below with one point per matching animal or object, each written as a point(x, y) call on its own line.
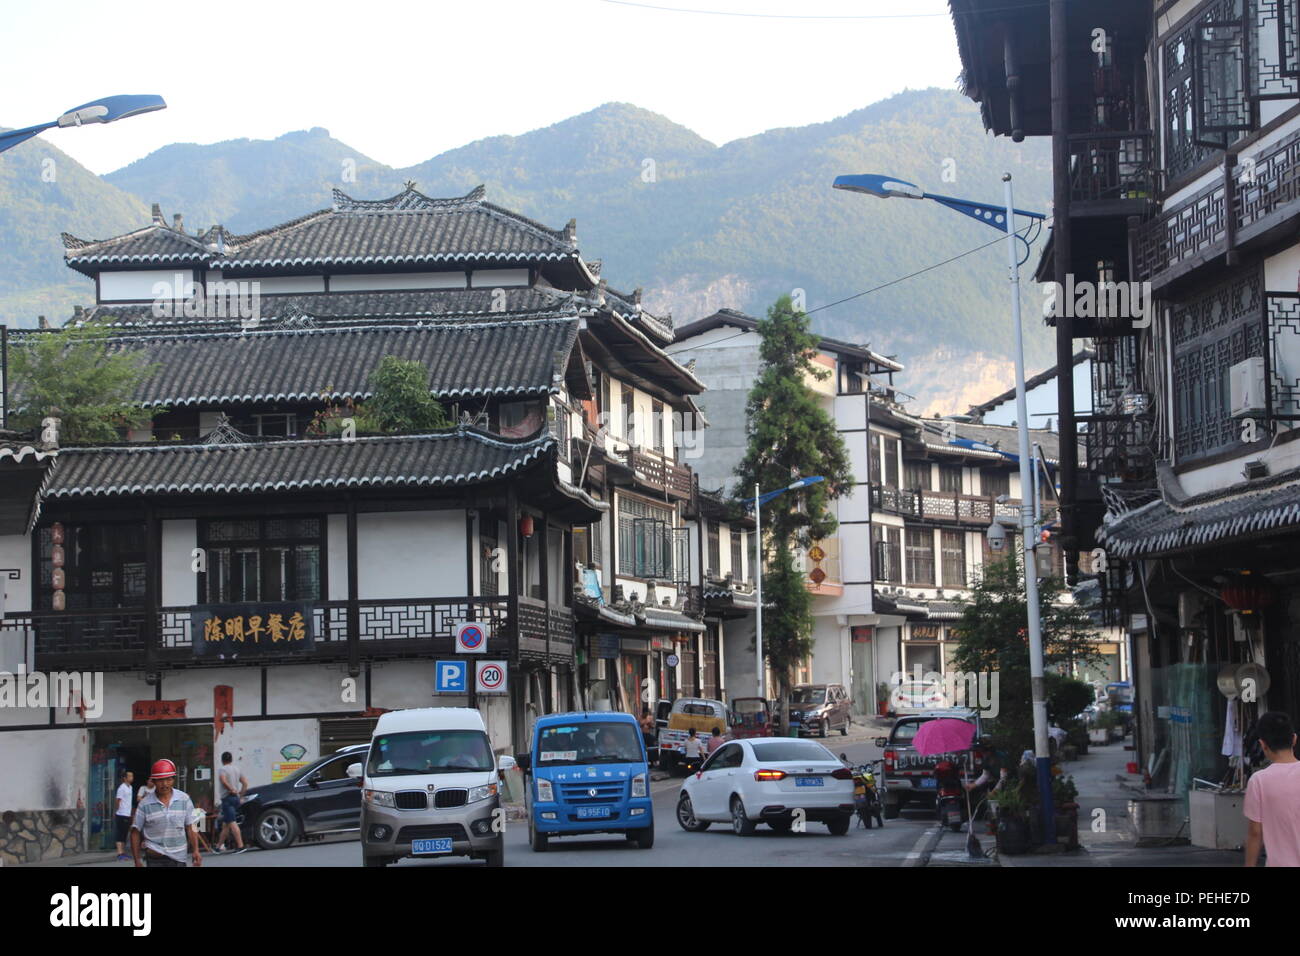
point(774, 781)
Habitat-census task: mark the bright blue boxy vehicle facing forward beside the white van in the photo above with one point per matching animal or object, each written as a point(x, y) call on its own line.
point(588, 775)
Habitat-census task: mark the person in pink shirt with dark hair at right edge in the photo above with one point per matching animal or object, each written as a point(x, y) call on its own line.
point(1273, 797)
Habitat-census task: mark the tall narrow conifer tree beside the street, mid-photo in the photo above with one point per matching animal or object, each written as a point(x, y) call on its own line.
point(791, 436)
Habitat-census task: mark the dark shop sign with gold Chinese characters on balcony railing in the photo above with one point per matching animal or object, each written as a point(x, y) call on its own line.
point(244, 631)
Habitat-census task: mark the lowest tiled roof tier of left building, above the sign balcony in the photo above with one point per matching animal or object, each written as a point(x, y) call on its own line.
point(456, 457)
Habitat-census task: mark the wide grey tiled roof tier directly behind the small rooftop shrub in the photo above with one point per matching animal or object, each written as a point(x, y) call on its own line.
point(463, 360)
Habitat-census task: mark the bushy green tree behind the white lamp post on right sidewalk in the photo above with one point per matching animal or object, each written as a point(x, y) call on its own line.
point(994, 637)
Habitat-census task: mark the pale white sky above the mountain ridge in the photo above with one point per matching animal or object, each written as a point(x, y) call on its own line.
point(406, 81)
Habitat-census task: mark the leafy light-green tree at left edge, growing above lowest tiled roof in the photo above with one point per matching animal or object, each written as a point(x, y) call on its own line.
point(79, 378)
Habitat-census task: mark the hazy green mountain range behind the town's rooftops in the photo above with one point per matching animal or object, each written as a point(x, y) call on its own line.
point(697, 226)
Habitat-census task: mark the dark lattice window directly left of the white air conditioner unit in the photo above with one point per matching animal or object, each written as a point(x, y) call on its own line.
point(1211, 335)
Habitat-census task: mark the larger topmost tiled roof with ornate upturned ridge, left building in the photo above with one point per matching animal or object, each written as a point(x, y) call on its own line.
point(406, 228)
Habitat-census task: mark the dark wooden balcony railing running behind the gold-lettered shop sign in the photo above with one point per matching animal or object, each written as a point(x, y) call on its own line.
point(422, 629)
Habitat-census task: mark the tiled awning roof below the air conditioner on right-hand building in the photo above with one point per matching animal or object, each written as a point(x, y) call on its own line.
point(1247, 511)
